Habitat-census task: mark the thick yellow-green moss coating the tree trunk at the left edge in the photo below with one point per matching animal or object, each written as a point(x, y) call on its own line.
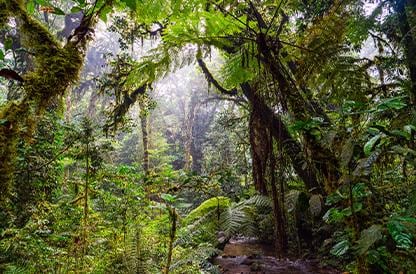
point(55, 68)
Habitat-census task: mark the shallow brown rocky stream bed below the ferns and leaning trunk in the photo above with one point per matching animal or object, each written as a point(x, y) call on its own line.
point(248, 256)
